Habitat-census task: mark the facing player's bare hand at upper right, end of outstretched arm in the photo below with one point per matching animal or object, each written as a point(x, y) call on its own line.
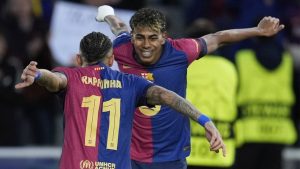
point(269, 26)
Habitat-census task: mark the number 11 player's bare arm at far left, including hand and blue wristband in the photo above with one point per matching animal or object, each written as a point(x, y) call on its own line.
point(53, 82)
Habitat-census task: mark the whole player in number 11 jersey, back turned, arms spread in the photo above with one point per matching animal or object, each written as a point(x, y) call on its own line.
point(99, 106)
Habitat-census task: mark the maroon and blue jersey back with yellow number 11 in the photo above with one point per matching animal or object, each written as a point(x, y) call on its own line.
point(98, 110)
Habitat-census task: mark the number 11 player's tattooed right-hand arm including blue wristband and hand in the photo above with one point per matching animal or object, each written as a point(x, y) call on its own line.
point(159, 95)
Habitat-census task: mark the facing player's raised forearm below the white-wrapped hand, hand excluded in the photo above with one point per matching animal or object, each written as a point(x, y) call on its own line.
point(116, 25)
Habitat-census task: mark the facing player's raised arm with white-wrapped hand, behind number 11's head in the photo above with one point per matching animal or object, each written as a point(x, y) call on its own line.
point(106, 14)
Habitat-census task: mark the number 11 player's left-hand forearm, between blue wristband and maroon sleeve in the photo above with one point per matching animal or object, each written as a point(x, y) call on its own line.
point(51, 81)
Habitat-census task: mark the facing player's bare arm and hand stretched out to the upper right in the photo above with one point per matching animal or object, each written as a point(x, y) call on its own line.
point(268, 26)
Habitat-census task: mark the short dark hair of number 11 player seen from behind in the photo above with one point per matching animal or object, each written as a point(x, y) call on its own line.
point(95, 46)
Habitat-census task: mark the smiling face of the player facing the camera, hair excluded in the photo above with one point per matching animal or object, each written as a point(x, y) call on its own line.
point(148, 44)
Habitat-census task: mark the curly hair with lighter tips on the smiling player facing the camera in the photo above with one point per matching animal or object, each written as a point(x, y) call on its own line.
point(148, 17)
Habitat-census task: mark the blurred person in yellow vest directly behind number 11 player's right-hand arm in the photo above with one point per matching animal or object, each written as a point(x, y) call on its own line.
point(211, 87)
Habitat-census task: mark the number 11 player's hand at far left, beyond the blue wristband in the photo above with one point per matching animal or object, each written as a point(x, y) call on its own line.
point(28, 75)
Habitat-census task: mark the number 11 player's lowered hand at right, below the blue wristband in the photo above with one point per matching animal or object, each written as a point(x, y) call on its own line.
point(214, 138)
